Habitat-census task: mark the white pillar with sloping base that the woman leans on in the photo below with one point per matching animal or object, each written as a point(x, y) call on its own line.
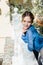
point(22, 56)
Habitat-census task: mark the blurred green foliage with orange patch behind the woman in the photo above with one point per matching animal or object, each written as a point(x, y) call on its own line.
point(35, 6)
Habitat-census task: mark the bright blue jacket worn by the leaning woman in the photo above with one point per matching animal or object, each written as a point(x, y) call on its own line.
point(33, 39)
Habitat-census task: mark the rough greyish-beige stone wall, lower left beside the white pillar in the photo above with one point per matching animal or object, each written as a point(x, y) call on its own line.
point(8, 51)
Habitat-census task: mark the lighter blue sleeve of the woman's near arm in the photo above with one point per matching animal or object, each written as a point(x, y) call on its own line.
point(30, 40)
